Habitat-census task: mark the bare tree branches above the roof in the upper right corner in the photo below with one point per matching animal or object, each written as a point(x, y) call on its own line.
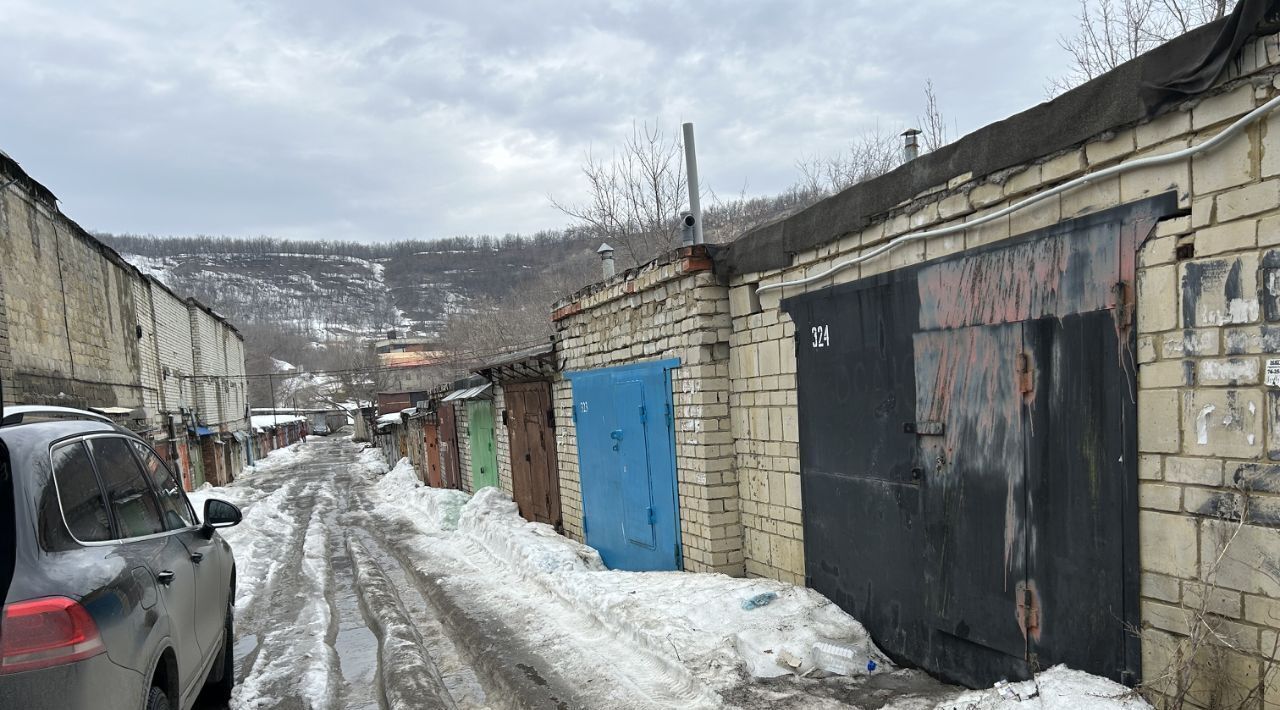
point(1112, 33)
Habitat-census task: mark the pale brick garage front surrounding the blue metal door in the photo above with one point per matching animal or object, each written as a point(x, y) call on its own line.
point(674, 308)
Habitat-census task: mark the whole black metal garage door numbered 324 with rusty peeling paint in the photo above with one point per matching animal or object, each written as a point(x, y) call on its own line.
point(968, 452)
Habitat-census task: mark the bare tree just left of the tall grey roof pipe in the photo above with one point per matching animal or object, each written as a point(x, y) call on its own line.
point(634, 199)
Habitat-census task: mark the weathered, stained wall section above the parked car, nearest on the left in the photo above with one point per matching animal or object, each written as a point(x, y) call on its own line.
point(70, 310)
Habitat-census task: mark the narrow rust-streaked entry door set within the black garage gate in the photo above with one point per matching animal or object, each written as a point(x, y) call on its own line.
point(973, 480)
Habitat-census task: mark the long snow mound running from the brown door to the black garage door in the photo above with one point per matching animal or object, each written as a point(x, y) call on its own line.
point(701, 617)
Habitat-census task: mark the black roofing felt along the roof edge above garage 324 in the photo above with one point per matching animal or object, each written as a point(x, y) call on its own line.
point(1128, 94)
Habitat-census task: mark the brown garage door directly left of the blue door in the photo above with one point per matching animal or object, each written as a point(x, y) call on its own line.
point(534, 477)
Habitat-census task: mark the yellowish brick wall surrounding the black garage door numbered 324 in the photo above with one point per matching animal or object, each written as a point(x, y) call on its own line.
point(1209, 319)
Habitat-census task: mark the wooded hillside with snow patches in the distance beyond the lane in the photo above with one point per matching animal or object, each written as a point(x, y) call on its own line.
point(330, 292)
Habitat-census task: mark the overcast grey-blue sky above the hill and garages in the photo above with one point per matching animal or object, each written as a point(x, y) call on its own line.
point(412, 118)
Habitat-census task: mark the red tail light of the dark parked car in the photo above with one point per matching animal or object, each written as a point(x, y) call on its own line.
point(44, 633)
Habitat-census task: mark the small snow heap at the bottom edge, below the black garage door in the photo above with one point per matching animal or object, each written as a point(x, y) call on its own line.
point(1057, 689)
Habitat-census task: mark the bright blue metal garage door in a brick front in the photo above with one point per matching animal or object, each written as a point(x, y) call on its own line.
point(628, 465)
